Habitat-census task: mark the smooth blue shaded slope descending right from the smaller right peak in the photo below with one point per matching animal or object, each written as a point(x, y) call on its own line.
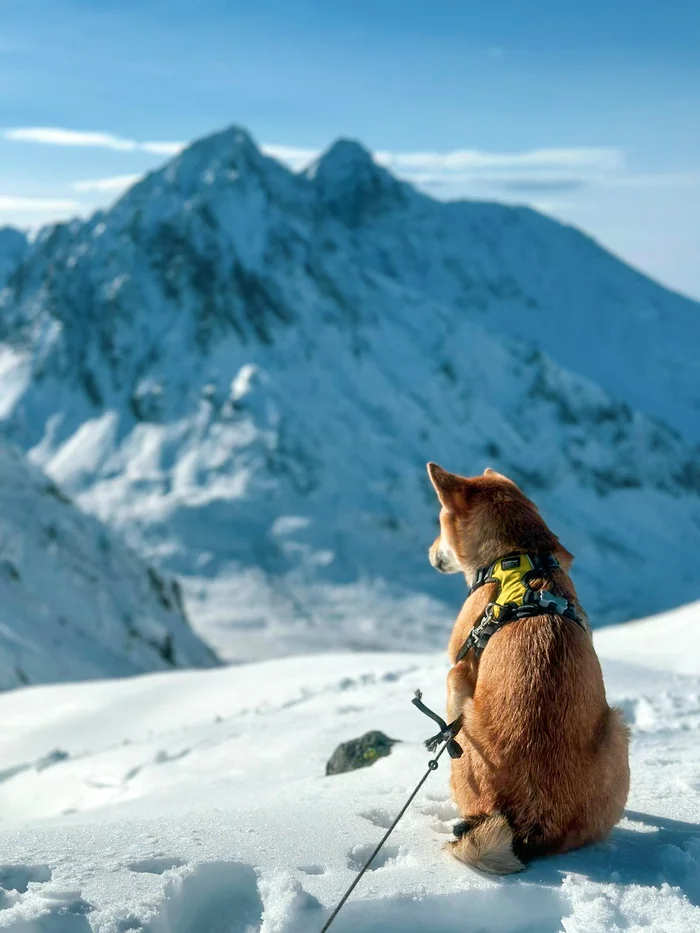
point(521, 275)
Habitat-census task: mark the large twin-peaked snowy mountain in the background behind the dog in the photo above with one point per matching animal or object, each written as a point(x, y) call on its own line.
point(244, 370)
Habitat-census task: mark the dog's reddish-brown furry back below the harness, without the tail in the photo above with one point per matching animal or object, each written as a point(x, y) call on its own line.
point(542, 747)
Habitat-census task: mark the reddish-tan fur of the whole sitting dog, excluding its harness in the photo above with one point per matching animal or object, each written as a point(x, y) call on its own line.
point(545, 764)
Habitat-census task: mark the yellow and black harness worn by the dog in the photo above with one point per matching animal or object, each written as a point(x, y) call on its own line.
point(515, 599)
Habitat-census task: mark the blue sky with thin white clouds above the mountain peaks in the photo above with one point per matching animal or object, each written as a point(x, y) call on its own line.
point(589, 112)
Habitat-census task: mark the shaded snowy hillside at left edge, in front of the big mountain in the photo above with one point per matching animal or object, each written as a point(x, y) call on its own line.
point(74, 602)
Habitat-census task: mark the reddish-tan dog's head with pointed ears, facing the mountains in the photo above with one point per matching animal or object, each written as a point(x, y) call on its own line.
point(483, 518)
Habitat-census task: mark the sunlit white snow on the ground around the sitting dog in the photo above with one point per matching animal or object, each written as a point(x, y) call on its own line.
point(196, 802)
